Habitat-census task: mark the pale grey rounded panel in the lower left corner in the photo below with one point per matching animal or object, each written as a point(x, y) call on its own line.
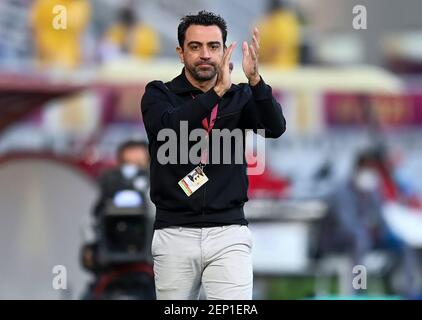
point(42, 204)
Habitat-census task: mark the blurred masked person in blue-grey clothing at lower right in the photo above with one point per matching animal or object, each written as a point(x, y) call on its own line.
point(355, 223)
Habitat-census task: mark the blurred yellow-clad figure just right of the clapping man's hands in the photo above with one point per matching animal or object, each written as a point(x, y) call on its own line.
point(280, 37)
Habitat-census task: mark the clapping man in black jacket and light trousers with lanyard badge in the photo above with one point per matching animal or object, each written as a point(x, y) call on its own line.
point(201, 234)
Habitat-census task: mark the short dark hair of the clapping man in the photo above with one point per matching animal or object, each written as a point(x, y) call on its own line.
point(203, 18)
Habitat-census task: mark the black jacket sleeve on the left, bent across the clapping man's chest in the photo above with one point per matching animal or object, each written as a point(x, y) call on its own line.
point(159, 112)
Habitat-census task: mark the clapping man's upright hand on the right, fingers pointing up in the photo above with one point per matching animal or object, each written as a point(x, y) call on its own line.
point(250, 59)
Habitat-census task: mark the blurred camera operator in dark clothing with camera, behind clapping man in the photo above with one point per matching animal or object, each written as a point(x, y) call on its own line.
point(116, 257)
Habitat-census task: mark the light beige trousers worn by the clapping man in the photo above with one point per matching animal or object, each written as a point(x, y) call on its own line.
point(219, 258)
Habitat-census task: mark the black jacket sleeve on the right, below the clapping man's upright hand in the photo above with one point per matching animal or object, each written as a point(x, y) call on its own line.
point(263, 112)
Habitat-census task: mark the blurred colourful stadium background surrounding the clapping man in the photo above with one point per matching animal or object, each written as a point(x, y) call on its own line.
point(69, 97)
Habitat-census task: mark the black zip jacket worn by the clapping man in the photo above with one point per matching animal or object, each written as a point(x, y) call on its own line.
point(220, 201)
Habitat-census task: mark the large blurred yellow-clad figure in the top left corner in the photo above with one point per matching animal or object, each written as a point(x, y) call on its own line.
point(58, 26)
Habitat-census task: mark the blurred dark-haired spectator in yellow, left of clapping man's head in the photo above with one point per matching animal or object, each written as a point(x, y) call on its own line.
point(128, 36)
